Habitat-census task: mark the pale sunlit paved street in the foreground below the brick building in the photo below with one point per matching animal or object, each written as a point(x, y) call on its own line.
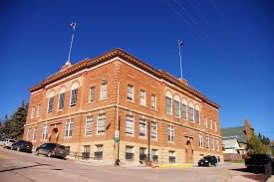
point(19, 166)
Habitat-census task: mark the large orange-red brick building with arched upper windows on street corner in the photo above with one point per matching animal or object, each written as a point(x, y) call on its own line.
point(155, 114)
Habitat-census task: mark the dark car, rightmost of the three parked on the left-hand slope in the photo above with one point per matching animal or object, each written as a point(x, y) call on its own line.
point(52, 150)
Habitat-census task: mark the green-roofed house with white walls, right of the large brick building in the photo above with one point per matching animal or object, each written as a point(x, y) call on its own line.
point(235, 140)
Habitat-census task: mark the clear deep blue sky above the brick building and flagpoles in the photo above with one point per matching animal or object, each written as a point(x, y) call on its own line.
point(228, 52)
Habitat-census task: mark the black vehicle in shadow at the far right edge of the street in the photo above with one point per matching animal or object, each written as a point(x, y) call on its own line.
point(256, 162)
